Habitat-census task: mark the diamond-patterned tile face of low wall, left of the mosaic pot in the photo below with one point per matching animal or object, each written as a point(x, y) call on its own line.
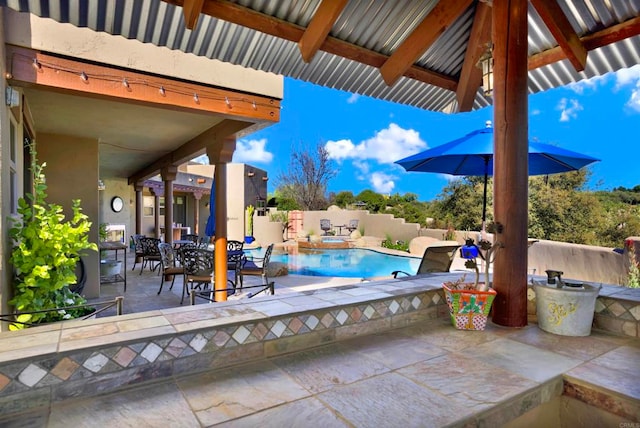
point(35, 382)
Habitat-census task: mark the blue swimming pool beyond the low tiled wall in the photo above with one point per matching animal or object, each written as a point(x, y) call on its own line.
point(352, 262)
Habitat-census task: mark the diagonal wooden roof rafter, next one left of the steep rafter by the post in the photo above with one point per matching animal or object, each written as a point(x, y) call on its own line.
point(421, 39)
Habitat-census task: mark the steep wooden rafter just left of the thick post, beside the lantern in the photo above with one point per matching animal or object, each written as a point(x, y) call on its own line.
point(471, 75)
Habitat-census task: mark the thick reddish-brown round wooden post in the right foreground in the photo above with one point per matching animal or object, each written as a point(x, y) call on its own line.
point(509, 34)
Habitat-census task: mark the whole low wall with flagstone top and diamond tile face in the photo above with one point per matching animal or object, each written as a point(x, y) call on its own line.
point(82, 358)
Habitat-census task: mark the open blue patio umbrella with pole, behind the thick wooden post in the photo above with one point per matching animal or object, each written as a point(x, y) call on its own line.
point(473, 155)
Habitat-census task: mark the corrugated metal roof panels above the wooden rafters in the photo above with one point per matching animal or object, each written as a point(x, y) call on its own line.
point(375, 25)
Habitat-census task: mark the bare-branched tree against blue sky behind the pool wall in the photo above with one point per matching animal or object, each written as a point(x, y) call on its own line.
point(306, 180)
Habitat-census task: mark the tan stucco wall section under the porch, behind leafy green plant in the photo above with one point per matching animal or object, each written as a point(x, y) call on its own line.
point(72, 173)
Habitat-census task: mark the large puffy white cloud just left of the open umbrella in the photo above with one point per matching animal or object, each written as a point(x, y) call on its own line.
point(386, 146)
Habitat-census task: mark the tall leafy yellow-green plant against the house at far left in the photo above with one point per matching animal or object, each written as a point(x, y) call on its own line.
point(46, 249)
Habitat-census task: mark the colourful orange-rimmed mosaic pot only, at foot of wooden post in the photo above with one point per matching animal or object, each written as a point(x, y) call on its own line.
point(469, 309)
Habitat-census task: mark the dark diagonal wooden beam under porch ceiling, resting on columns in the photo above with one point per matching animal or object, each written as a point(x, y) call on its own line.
point(191, 149)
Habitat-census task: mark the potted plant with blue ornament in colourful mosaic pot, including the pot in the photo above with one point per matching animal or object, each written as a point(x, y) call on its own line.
point(470, 302)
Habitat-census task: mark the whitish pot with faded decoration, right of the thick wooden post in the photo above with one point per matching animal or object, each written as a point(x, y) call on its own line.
point(567, 311)
